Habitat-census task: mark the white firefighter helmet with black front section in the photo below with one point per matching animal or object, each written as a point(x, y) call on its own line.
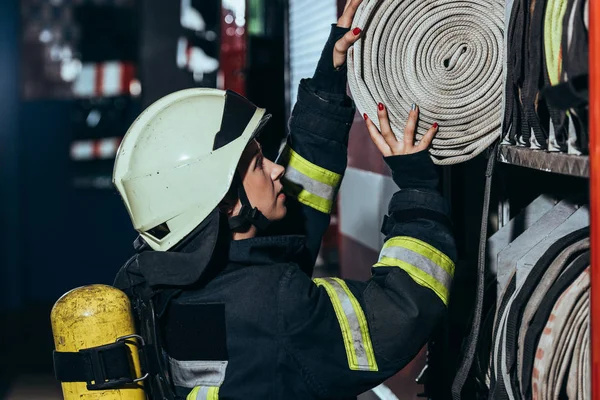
point(178, 159)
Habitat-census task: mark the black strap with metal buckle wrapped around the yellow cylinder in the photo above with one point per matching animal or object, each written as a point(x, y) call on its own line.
point(103, 367)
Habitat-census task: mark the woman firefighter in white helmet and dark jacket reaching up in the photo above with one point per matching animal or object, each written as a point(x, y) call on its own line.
point(228, 240)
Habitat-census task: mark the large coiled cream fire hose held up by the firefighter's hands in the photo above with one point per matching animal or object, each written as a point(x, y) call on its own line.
point(444, 55)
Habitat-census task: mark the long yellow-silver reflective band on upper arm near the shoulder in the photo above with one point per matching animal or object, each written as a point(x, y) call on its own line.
point(353, 324)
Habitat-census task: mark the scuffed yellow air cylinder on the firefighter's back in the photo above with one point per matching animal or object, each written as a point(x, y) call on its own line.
point(92, 316)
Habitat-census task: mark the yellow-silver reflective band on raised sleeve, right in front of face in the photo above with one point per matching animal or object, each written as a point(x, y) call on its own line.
point(312, 185)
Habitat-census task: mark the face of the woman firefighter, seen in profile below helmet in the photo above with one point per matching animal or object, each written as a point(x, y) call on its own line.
point(262, 181)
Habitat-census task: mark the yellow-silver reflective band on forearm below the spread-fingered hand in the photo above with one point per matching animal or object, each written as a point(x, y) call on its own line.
point(425, 264)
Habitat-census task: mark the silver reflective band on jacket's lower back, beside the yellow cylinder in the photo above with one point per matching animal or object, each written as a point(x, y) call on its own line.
point(189, 374)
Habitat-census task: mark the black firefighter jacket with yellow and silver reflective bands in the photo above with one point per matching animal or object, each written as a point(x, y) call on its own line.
point(253, 324)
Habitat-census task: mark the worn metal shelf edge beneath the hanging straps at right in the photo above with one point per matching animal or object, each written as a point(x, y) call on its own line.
point(559, 163)
